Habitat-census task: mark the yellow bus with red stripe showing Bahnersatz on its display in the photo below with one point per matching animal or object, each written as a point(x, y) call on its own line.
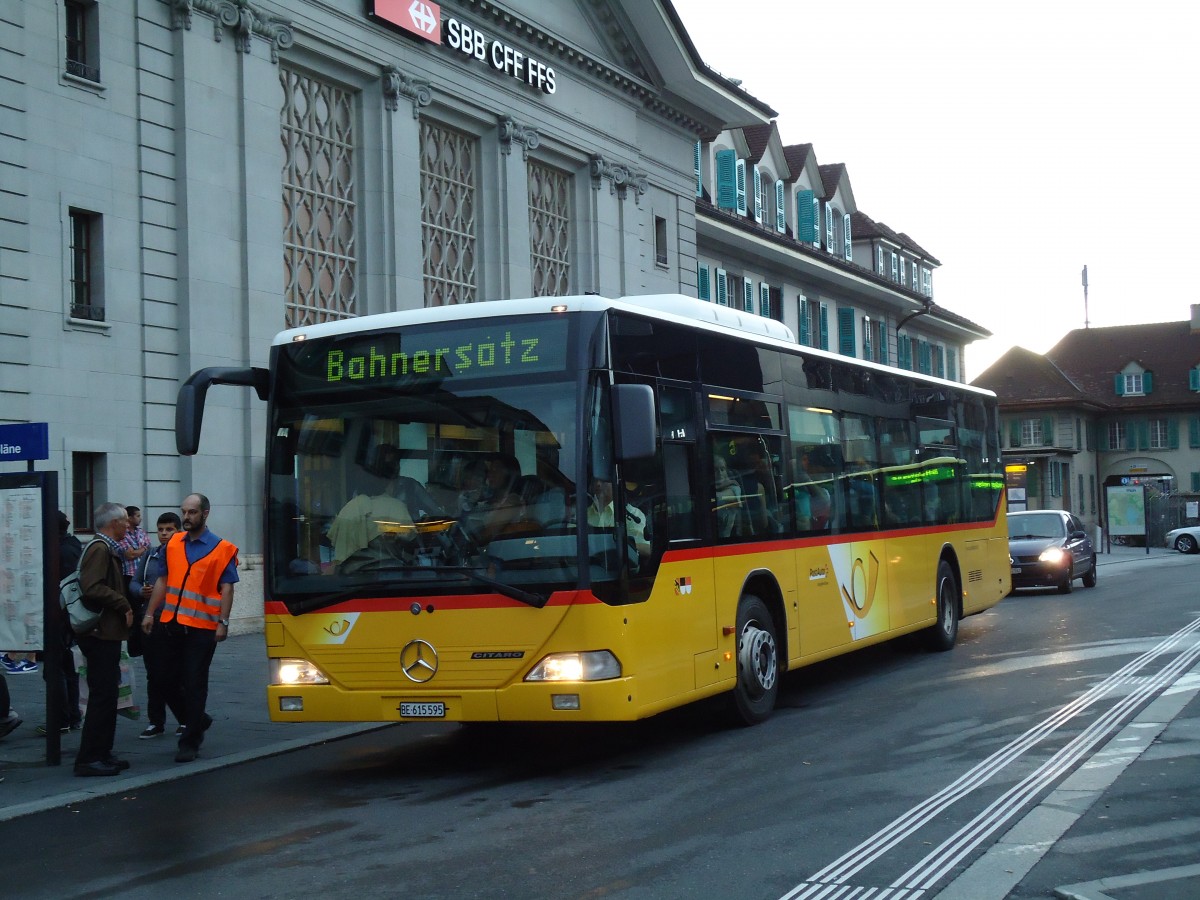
point(584, 509)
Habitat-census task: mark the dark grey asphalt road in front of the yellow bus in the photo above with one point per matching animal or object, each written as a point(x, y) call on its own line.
point(891, 769)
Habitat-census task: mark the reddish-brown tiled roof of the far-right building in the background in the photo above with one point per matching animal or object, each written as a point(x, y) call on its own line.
point(1089, 361)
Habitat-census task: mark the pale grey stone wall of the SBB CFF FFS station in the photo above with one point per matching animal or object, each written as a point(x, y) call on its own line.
point(178, 149)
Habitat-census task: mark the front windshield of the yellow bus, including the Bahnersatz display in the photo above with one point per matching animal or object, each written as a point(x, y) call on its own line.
point(449, 478)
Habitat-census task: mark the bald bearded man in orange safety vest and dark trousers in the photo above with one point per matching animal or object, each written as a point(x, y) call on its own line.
point(196, 596)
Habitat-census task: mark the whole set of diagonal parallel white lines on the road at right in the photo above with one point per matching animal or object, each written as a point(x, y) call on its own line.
point(832, 881)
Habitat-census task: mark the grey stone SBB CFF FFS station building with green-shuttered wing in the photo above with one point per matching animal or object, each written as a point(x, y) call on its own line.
point(183, 179)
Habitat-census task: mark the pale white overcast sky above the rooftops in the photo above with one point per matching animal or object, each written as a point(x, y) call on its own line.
point(1017, 142)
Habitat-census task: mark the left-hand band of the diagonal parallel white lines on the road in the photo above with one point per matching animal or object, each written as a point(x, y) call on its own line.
point(839, 873)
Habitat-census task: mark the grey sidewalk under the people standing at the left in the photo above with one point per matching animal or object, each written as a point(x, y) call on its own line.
point(242, 731)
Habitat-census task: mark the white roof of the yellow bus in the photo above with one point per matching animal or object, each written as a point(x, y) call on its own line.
point(670, 308)
